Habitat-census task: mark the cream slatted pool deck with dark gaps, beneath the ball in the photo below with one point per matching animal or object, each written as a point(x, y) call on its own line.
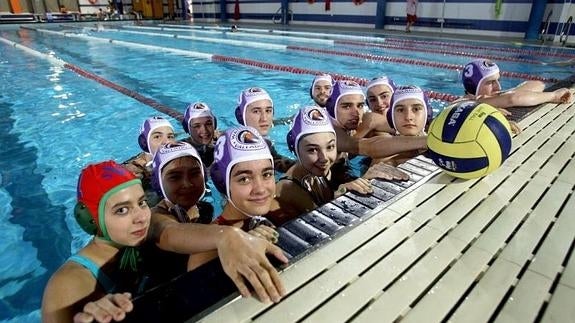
point(499, 248)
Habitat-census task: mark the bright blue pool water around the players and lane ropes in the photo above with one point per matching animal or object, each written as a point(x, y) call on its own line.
point(53, 121)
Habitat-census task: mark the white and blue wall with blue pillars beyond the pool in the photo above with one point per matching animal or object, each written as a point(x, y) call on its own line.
point(465, 17)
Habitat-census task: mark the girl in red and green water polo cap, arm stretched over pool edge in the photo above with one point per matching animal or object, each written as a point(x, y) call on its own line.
point(112, 207)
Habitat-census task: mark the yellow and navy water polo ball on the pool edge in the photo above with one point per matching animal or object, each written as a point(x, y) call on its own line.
point(469, 139)
